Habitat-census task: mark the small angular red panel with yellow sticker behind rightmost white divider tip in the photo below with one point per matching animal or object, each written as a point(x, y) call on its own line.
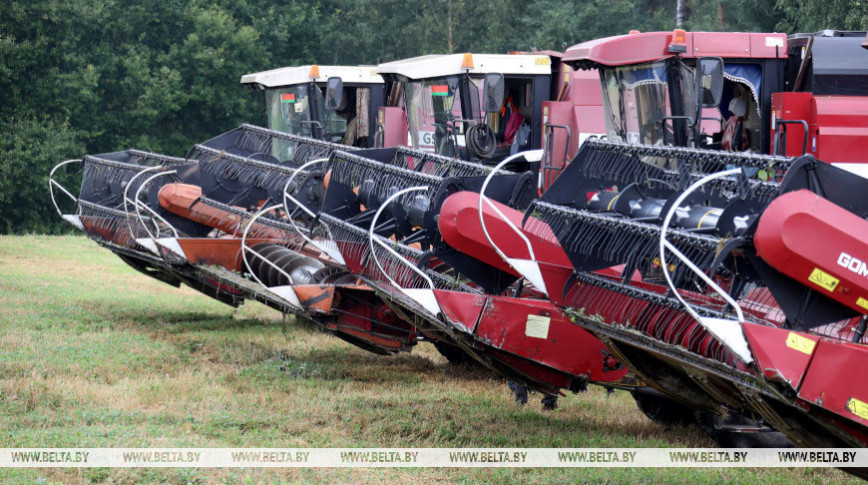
point(783, 355)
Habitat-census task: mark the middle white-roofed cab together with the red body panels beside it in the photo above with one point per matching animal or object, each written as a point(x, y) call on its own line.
point(536, 101)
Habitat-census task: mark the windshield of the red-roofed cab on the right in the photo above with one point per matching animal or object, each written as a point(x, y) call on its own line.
point(636, 102)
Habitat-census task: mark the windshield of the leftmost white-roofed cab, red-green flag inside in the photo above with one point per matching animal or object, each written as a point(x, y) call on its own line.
point(300, 110)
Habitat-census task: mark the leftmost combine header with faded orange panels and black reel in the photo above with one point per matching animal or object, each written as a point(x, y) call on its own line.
point(208, 234)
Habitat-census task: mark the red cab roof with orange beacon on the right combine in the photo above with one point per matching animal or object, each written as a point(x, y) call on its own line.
point(652, 46)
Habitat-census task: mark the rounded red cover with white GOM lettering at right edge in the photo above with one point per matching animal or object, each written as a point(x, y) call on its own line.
point(834, 264)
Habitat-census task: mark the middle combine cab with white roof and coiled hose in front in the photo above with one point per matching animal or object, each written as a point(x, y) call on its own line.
point(438, 101)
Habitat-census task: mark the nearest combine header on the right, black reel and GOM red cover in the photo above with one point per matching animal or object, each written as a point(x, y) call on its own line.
point(727, 300)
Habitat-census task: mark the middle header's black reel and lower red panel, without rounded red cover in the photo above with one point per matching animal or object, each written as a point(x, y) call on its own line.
point(384, 216)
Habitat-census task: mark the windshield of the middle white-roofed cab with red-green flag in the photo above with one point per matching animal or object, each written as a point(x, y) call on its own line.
point(435, 111)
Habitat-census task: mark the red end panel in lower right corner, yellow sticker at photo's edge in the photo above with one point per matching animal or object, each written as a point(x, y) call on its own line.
point(835, 377)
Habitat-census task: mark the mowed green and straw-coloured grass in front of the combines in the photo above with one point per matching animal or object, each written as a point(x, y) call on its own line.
point(94, 354)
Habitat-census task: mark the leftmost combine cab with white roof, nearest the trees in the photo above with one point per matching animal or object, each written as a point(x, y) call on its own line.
point(336, 104)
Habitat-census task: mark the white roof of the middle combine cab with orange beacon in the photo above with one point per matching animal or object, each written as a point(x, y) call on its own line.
point(437, 65)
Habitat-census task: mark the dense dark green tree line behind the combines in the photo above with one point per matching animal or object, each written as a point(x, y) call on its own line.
point(93, 76)
